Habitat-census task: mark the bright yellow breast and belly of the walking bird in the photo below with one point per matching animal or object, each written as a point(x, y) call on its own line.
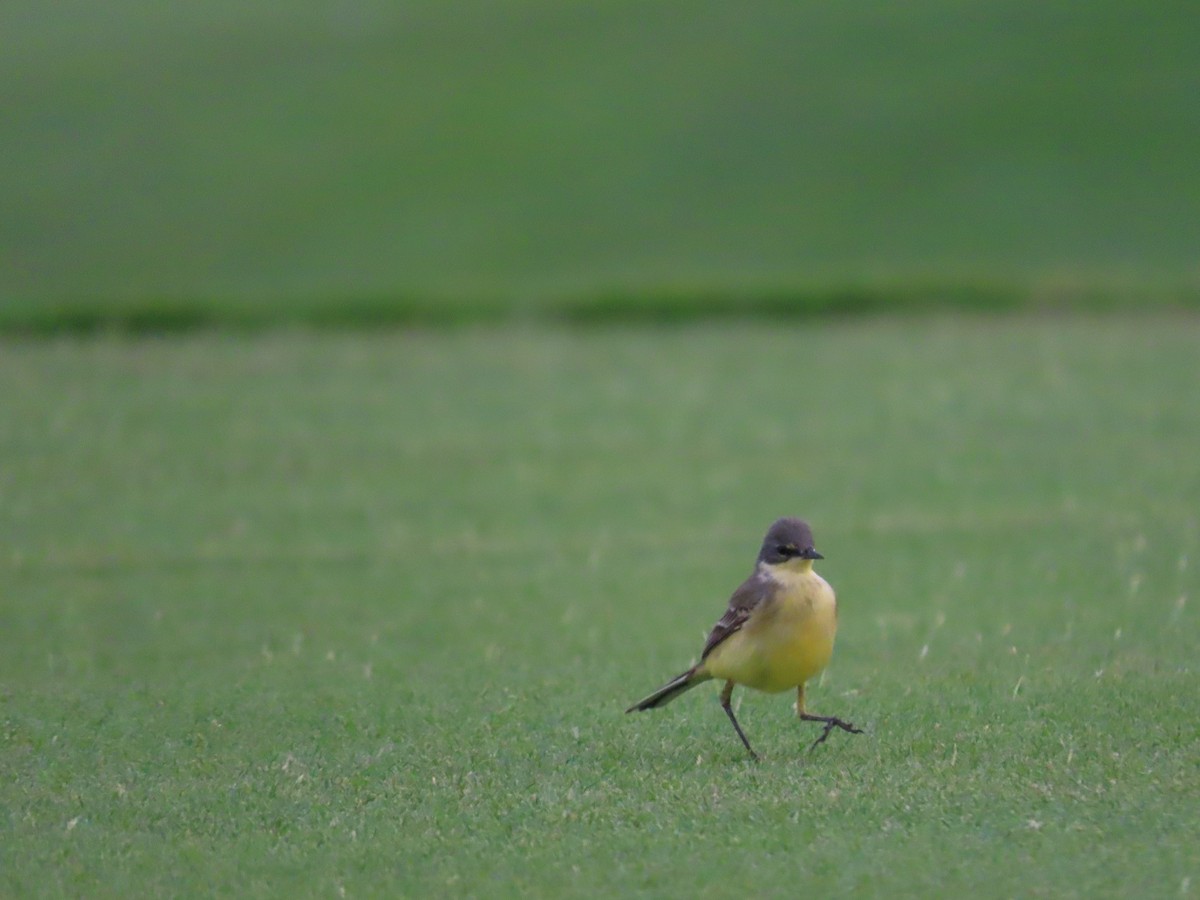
point(785, 643)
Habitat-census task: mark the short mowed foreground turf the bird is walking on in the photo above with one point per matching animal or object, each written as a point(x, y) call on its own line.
point(313, 614)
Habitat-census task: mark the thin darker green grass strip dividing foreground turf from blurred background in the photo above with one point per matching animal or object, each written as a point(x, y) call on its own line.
point(668, 307)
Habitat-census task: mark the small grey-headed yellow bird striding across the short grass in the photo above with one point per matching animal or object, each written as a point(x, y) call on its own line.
point(777, 634)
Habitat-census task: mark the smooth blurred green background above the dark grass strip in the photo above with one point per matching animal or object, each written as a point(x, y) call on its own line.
point(229, 154)
